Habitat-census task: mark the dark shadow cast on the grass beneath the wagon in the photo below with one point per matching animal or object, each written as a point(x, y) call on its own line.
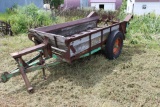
point(86, 72)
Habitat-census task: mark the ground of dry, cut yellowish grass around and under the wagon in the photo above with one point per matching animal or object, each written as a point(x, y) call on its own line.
point(132, 80)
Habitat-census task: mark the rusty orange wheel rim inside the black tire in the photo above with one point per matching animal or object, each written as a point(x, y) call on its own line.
point(117, 46)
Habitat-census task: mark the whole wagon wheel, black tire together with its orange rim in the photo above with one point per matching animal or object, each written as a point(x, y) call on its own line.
point(114, 45)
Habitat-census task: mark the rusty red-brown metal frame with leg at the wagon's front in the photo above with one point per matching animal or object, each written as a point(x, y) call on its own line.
point(22, 64)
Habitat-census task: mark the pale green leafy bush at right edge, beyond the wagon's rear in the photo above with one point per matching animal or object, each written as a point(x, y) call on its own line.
point(145, 24)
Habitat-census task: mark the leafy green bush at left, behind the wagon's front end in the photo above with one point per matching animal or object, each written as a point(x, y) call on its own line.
point(28, 17)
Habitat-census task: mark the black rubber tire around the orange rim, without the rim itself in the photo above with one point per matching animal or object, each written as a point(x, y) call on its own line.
point(110, 44)
